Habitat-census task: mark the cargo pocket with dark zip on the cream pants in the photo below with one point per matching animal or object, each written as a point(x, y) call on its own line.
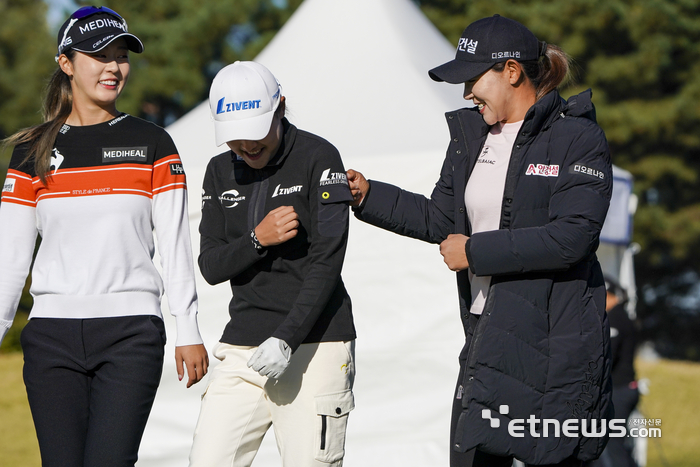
point(332, 420)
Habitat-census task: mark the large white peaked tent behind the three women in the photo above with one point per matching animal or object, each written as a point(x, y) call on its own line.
point(354, 72)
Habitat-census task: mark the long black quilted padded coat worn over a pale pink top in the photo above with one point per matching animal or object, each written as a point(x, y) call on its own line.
point(542, 345)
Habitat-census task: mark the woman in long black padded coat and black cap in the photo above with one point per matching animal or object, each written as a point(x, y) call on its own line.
point(517, 211)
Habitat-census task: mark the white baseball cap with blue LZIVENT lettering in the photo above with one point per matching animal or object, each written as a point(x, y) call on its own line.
point(243, 99)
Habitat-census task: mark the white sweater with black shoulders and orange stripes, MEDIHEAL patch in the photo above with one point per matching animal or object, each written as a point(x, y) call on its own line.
point(111, 186)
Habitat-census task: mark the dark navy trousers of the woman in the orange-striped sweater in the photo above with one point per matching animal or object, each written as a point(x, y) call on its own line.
point(91, 385)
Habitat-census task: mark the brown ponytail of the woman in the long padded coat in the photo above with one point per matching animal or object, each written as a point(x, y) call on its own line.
point(548, 72)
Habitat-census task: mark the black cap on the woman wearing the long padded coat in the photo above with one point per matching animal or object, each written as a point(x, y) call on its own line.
point(483, 44)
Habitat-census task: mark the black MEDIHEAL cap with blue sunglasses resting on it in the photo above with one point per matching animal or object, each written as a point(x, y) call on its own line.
point(91, 29)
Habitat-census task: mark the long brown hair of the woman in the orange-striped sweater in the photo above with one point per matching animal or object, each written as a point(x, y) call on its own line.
point(58, 103)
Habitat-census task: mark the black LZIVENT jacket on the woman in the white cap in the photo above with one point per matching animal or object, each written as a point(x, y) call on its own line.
point(292, 291)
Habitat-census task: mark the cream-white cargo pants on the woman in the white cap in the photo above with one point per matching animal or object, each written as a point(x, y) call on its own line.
point(307, 407)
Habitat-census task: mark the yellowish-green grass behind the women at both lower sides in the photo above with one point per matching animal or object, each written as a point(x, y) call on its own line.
point(673, 398)
